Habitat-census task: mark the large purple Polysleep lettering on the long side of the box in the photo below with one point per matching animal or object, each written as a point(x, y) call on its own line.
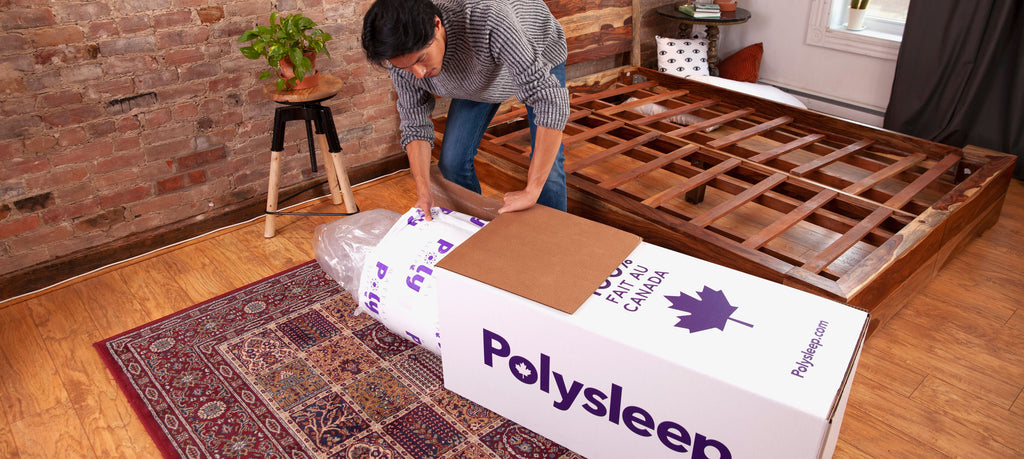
point(599, 402)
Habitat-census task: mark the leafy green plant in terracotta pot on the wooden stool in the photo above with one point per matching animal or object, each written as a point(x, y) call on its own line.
point(290, 47)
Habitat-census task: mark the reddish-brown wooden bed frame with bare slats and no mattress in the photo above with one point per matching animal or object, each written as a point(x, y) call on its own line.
point(850, 213)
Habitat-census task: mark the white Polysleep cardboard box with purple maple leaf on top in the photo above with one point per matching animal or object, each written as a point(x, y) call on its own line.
point(670, 356)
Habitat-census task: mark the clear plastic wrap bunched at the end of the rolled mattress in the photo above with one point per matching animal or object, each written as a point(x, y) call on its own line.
point(342, 246)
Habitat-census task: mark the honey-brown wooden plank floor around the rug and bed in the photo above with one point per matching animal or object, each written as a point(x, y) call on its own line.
point(944, 378)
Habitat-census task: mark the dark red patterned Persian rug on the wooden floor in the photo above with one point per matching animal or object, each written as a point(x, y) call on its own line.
point(284, 368)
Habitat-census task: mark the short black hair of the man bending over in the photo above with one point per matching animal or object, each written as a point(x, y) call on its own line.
point(394, 28)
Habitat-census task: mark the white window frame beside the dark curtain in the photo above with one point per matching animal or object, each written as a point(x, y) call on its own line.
point(827, 30)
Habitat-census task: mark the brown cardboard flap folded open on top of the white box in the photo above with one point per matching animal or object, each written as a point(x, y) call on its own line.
point(551, 258)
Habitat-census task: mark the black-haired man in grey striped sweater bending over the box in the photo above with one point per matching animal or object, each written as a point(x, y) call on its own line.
point(480, 54)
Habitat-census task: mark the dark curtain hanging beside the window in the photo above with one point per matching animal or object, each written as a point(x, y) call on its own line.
point(960, 76)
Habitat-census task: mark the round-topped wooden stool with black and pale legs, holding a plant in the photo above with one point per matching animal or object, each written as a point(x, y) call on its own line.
point(306, 105)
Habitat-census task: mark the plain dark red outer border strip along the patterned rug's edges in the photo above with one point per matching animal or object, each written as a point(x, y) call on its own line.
point(135, 399)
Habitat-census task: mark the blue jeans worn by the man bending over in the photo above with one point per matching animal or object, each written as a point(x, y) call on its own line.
point(467, 120)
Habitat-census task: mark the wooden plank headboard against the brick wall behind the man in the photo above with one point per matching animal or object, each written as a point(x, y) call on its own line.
point(596, 30)
